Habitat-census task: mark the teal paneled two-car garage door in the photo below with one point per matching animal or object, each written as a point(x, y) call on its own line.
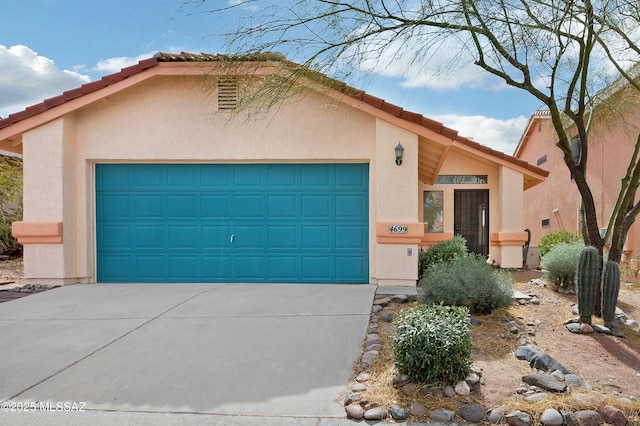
point(303, 223)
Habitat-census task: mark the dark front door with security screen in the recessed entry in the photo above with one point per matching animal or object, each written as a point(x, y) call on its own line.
point(471, 218)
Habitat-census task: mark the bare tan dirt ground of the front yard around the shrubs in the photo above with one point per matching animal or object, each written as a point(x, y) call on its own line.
point(609, 365)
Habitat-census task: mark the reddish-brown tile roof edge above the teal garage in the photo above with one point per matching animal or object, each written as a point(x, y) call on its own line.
point(342, 87)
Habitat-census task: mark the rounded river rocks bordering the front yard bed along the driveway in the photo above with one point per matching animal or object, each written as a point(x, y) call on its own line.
point(547, 376)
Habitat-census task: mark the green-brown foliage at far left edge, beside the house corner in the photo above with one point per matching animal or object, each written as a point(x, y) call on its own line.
point(10, 202)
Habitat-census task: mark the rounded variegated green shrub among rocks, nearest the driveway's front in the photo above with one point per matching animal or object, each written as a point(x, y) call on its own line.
point(432, 344)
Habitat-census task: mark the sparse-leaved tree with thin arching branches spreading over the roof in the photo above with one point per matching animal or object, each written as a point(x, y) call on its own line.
point(565, 53)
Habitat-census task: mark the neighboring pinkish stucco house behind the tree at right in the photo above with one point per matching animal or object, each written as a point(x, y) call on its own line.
point(555, 204)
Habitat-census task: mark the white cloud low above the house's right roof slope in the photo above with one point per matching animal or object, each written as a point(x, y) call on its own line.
point(502, 135)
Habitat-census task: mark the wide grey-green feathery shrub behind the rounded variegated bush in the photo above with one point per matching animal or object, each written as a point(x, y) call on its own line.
point(467, 281)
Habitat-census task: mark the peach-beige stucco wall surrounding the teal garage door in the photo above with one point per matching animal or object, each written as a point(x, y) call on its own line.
point(171, 119)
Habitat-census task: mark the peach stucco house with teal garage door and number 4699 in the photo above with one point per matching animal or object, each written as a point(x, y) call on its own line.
point(152, 175)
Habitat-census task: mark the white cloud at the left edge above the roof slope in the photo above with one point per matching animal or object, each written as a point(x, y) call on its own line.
point(27, 78)
